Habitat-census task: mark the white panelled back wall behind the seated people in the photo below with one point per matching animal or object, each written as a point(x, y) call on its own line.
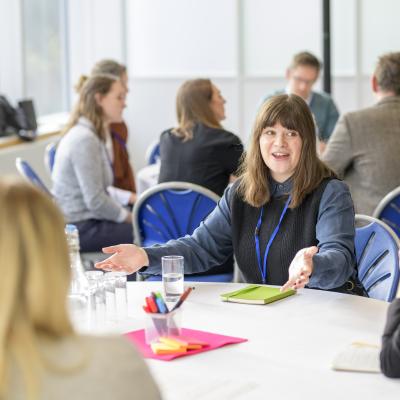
point(244, 46)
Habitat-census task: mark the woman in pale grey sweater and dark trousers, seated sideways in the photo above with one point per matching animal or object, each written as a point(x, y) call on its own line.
point(83, 170)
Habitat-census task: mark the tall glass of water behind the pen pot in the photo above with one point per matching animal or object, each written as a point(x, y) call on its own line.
point(172, 273)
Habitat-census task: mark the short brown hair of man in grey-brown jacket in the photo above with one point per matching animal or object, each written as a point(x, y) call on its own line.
point(387, 73)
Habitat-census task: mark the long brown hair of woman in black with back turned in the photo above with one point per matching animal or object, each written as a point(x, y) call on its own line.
point(193, 106)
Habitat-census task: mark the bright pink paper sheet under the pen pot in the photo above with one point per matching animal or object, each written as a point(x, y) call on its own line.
point(214, 340)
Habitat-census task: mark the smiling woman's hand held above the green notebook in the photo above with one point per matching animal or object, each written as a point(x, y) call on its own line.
point(300, 268)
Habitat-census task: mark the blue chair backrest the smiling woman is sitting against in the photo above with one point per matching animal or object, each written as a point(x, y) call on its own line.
point(377, 257)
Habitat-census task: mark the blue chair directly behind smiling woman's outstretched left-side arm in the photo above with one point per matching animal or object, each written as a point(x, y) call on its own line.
point(171, 210)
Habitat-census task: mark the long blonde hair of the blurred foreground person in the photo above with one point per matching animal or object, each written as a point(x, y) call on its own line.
point(34, 281)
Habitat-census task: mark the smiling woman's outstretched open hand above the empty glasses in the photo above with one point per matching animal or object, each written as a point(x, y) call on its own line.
point(127, 258)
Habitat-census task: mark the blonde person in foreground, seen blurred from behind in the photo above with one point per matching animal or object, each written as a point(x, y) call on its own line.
point(41, 357)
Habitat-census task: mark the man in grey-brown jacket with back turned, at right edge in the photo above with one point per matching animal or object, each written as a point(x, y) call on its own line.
point(364, 148)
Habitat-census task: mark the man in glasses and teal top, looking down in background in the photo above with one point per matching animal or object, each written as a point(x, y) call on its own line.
point(301, 76)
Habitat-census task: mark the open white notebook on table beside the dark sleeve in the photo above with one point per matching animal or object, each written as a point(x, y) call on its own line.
point(361, 357)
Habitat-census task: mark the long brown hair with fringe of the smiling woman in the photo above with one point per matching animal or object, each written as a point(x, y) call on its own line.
point(293, 113)
